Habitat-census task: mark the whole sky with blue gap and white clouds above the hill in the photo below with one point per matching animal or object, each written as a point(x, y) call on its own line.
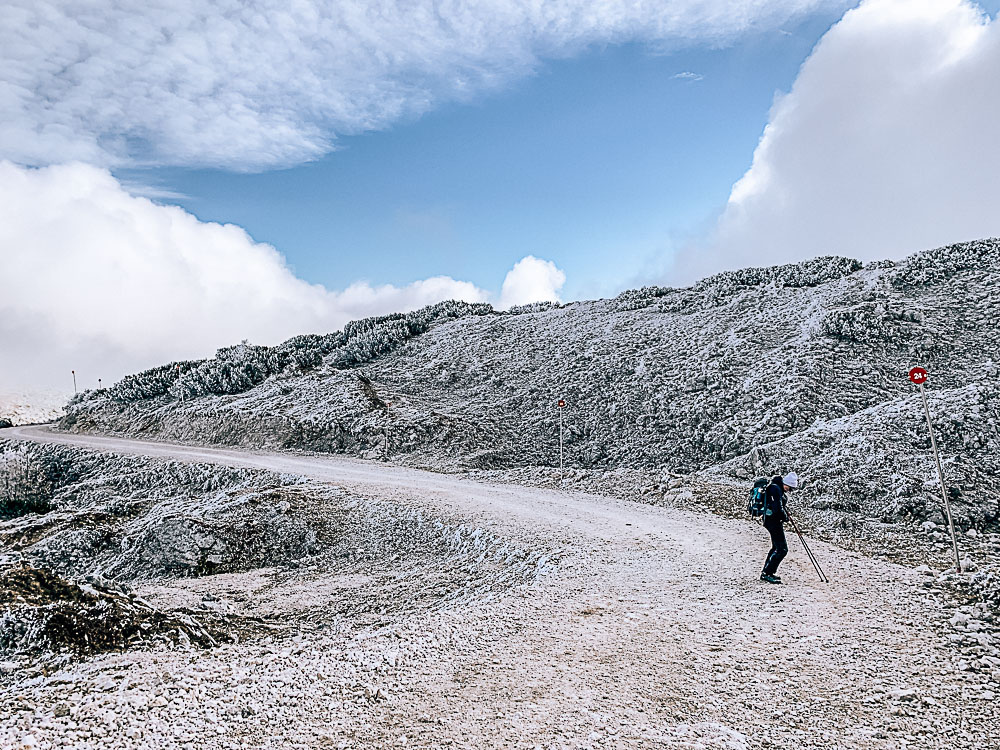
point(180, 176)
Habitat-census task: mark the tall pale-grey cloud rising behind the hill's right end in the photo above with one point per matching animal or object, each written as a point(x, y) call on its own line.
point(886, 144)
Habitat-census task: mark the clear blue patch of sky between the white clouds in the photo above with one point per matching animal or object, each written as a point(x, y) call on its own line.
point(600, 163)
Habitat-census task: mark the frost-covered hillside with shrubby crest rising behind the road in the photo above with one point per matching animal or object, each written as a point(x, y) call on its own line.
point(800, 366)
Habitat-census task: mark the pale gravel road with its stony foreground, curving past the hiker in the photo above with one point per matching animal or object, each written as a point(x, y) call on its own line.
point(645, 627)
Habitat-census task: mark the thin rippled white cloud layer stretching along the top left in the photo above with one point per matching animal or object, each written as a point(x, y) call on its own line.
point(268, 83)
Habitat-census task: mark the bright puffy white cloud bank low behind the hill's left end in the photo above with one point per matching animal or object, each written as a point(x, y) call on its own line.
point(98, 280)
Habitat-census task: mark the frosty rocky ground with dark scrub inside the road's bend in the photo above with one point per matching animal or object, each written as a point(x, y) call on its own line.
point(87, 539)
